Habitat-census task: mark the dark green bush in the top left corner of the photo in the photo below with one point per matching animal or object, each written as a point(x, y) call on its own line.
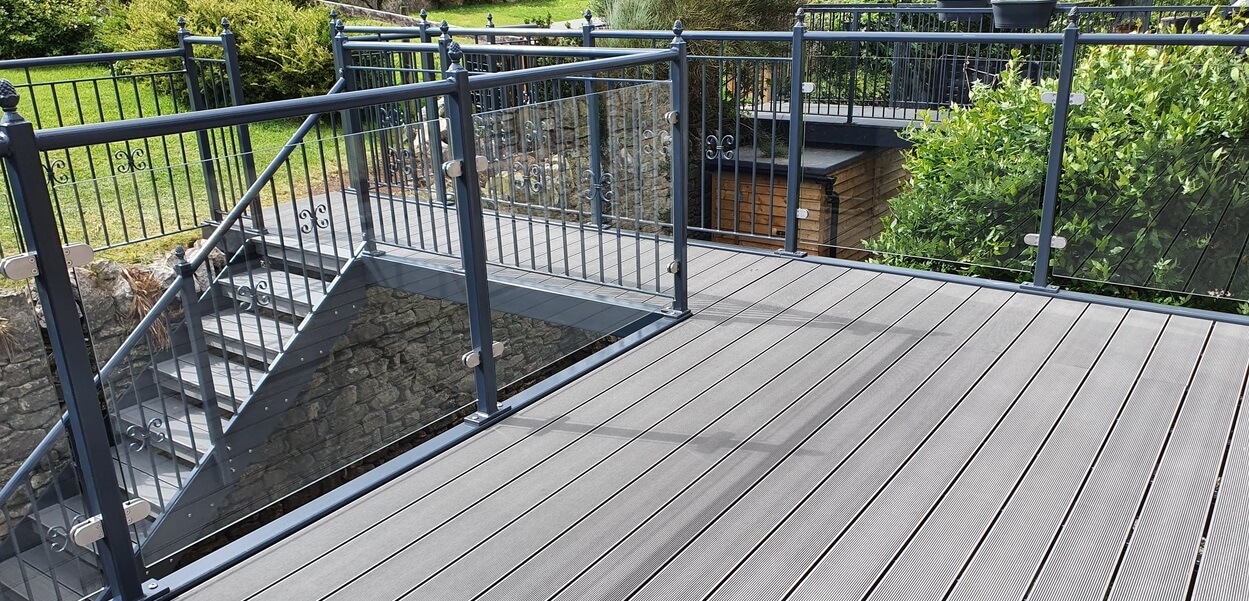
point(47, 28)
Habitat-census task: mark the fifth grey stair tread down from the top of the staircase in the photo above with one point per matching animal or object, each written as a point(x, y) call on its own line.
point(174, 428)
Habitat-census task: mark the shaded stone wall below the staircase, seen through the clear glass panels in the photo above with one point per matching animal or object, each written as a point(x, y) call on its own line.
point(397, 370)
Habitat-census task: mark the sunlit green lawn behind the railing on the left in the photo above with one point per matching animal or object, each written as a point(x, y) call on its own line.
point(146, 188)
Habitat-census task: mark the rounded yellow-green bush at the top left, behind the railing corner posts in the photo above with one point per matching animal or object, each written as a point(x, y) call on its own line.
point(284, 52)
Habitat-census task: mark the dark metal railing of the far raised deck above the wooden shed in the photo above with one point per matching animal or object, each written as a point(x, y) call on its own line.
point(882, 79)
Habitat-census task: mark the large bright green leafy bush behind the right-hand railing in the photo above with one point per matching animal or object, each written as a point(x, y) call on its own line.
point(1153, 181)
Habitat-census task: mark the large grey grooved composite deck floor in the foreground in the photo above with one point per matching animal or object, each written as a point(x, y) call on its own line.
point(821, 433)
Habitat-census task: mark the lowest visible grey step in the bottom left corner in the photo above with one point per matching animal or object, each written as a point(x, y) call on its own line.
point(31, 577)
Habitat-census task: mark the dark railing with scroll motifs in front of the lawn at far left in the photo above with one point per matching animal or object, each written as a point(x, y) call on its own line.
point(147, 189)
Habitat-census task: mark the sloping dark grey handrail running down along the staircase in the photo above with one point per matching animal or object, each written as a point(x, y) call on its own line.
point(167, 299)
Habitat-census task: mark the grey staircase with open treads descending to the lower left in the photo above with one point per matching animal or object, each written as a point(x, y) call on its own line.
point(162, 425)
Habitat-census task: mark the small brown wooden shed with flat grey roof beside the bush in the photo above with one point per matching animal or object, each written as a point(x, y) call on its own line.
point(842, 201)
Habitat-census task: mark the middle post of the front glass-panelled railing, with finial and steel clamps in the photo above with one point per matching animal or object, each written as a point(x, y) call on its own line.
point(463, 169)
